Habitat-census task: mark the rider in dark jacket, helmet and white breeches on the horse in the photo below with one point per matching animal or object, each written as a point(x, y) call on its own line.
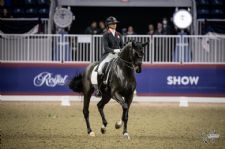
point(112, 41)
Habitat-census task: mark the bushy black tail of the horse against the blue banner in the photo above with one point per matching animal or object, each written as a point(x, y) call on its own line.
point(76, 84)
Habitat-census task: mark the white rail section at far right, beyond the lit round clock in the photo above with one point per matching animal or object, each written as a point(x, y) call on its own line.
point(205, 49)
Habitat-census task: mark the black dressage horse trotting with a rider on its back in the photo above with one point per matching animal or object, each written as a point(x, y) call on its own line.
point(121, 84)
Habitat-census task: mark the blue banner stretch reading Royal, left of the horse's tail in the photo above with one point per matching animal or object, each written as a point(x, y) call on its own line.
point(37, 79)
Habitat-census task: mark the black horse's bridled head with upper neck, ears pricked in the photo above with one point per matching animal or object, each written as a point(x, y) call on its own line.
point(134, 54)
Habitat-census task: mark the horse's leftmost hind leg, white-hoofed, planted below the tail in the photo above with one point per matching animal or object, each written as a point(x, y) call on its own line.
point(86, 113)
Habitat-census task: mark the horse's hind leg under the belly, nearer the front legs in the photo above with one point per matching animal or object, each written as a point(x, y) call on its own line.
point(101, 104)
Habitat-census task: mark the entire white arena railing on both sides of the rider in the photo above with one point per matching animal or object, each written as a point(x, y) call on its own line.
point(166, 49)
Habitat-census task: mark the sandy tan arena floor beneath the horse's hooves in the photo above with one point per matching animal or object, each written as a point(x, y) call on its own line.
point(32, 124)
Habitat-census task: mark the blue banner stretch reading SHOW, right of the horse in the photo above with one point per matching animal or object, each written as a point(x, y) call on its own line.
point(200, 80)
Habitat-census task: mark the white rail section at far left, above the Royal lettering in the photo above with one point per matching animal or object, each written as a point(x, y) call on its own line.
point(30, 48)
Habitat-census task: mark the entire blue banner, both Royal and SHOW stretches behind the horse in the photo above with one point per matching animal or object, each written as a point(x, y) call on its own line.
point(52, 79)
